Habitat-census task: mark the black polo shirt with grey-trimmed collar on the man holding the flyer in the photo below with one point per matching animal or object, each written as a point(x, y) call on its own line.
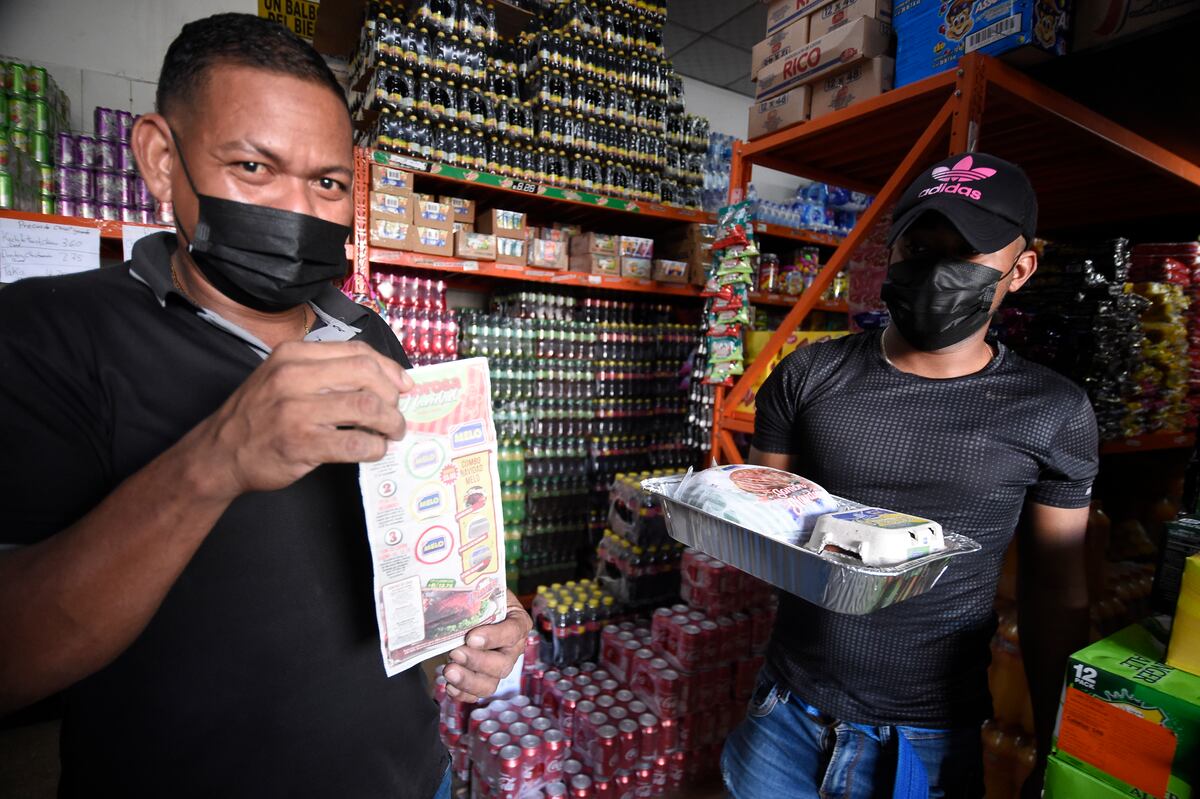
point(261, 675)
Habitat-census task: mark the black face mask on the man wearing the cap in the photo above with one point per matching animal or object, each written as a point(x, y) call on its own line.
point(937, 303)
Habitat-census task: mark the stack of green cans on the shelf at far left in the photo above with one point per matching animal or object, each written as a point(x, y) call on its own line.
point(33, 111)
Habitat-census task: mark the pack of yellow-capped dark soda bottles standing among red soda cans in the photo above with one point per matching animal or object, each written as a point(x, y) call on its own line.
point(568, 618)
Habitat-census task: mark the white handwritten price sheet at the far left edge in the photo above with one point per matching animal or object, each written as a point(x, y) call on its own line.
point(45, 250)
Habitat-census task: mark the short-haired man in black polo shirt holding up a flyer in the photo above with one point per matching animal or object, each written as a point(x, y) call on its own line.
point(188, 556)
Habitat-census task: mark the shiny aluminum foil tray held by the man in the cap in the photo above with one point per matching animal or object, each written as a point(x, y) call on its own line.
point(836, 582)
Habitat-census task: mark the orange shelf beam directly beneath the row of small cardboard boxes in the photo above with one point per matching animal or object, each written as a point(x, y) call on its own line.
point(381, 257)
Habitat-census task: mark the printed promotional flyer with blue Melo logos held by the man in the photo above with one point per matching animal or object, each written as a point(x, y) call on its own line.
point(435, 521)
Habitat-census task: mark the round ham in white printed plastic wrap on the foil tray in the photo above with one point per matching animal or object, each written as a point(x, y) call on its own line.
point(770, 502)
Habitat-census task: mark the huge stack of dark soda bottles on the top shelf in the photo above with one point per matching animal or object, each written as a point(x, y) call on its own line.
point(586, 100)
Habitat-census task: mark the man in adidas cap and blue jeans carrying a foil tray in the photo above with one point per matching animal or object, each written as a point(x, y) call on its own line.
point(927, 417)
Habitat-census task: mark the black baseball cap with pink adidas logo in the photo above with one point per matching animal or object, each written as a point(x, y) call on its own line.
point(988, 200)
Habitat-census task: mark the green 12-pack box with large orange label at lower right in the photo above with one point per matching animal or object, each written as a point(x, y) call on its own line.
point(1129, 719)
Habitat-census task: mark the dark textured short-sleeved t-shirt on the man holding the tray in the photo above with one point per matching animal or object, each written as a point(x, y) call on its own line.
point(968, 453)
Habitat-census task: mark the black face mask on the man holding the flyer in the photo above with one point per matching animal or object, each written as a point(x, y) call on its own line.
point(263, 259)
